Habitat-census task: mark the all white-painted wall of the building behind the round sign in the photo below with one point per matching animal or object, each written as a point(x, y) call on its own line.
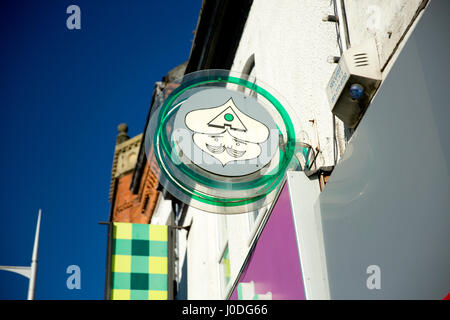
point(291, 44)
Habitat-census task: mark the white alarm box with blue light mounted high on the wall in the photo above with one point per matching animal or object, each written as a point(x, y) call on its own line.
point(354, 83)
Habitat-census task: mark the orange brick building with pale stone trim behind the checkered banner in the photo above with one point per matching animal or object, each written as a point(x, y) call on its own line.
point(134, 190)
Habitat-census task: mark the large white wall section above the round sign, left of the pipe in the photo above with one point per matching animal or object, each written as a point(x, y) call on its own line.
point(291, 44)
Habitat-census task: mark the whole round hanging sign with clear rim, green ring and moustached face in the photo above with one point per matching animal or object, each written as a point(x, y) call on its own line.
point(220, 142)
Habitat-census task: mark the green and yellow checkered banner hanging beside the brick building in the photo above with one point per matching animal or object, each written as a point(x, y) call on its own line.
point(139, 262)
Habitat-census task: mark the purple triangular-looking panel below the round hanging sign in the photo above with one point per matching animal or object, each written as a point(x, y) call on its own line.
point(274, 264)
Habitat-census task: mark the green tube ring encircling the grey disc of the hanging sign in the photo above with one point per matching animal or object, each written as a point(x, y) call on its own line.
point(196, 177)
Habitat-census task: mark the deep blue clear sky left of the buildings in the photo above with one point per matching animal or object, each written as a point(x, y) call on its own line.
point(62, 94)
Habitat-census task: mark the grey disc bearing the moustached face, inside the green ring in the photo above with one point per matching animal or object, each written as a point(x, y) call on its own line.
point(225, 132)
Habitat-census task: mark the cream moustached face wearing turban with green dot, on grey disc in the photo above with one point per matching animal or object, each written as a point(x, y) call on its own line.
point(226, 133)
